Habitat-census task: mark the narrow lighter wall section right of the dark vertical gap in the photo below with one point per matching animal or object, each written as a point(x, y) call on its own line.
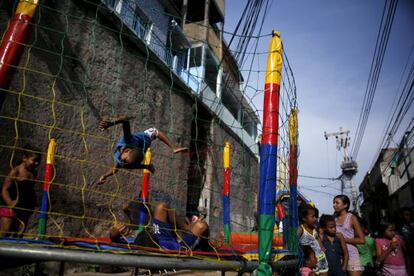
point(243, 186)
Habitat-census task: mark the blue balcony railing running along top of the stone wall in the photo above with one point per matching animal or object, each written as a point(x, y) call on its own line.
point(126, 11)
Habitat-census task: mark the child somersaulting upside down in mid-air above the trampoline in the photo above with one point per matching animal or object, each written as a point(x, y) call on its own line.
point(130, 149)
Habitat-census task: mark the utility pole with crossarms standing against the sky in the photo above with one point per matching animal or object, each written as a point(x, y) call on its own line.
point(349, 167)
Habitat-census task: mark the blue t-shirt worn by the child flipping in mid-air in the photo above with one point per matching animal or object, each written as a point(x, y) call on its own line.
point(137, 140)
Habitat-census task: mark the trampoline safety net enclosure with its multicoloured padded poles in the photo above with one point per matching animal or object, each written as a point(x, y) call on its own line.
point(66, 66)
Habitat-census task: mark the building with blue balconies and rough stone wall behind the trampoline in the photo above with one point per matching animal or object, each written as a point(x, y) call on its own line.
point(162, 61)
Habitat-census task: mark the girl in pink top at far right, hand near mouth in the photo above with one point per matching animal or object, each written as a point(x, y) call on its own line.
point(390, 251)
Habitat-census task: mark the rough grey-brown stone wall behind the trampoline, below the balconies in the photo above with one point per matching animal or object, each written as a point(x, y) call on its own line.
point(77, 70)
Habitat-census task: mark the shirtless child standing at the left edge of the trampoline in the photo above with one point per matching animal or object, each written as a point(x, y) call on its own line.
point(18, 197)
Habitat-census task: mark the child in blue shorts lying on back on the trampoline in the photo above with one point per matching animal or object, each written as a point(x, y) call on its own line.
point(169, 231)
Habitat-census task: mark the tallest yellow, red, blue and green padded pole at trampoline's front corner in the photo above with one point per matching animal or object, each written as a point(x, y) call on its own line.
point(268, 154)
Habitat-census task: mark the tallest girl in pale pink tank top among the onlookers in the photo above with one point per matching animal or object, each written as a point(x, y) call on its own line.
point(348, 225)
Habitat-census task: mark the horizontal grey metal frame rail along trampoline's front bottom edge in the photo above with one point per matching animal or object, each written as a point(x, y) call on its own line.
point(124, 259)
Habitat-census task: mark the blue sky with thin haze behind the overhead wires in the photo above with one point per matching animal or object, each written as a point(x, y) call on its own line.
point(330, 46)
